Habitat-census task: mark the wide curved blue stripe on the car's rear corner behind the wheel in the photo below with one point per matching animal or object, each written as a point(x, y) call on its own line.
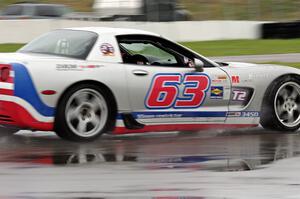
point(25, 89)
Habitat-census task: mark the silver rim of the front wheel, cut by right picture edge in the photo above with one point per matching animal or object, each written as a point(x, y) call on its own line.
point(287, 104)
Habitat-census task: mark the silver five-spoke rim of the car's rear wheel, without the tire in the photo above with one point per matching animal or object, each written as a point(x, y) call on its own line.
point(86, 113)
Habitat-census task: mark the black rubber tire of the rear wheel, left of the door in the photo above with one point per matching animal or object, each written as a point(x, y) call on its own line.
point(67, 130)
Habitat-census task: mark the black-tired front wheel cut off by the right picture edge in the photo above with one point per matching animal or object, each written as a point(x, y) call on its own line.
point(271, 117)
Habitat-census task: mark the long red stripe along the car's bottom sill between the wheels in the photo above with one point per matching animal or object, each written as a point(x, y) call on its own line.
point(181, 127)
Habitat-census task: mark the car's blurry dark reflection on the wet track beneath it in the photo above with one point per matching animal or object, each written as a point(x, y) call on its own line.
point(225, 151)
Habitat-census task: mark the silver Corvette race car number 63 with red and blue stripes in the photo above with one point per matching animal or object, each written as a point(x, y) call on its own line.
point(84, 82)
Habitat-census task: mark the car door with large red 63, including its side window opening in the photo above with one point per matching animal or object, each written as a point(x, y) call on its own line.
point(164, 90)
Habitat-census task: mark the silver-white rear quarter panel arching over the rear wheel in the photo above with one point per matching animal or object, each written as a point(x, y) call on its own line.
point(59, 75)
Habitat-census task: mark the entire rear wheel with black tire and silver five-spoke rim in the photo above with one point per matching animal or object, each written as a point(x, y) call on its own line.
point(85, 113)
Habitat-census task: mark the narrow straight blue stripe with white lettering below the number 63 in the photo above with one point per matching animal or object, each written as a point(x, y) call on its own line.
point(175, 114)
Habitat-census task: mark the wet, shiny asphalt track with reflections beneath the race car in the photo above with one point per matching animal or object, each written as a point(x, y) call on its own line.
point(209, 164)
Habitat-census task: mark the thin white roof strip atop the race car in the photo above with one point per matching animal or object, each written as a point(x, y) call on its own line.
point(114, 31)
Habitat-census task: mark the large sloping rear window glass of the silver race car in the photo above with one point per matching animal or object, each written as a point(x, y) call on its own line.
point(65, 43)
